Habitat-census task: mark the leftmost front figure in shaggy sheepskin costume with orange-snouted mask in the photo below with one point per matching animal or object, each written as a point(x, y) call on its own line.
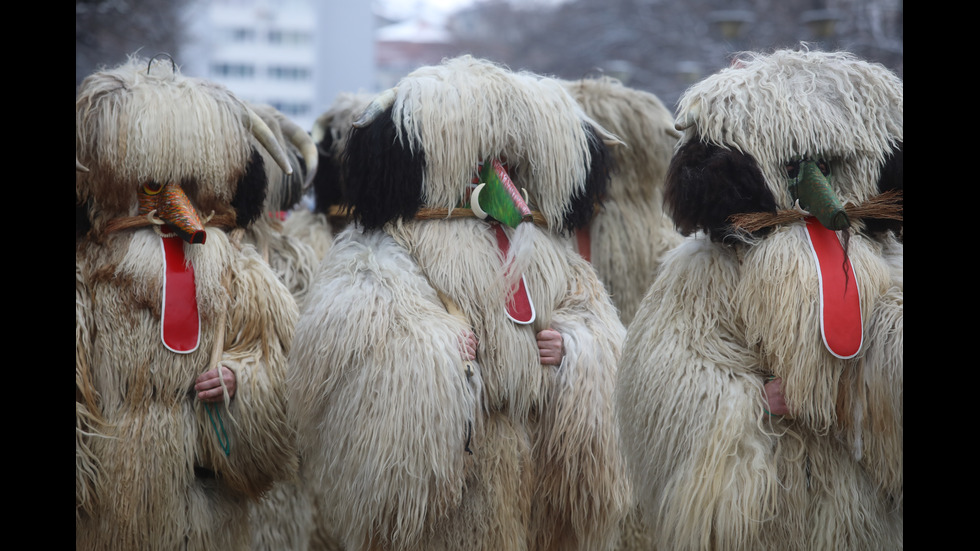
point(157, 468)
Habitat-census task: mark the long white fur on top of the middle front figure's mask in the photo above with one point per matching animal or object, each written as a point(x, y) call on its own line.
point(552, 152)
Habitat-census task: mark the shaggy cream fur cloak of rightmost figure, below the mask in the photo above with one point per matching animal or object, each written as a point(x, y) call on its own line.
point(713, 469)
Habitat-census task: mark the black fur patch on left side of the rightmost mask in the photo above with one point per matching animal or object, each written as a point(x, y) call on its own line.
point(707, 183)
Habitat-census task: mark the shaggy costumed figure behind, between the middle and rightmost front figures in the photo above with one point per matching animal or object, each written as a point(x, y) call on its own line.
point(630, 232)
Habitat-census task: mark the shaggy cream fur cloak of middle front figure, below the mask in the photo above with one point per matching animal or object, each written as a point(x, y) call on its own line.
point(388, 415)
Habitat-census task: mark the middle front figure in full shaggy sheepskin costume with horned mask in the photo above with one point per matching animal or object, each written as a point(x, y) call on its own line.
point(410, 445)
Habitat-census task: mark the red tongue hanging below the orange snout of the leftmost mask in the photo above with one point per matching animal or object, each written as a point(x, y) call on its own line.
point(181, 325)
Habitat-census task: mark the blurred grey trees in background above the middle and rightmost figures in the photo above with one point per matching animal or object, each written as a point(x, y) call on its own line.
point(662, 46)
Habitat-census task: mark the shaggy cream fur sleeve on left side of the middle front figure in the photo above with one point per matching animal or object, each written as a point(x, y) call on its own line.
point(373, 330)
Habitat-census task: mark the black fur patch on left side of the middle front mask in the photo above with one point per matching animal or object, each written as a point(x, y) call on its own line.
point(383, 178)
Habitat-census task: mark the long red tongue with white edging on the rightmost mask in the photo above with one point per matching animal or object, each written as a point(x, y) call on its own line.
point(840, 303)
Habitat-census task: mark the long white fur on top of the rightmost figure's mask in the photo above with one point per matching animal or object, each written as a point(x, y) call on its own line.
point(797, 103)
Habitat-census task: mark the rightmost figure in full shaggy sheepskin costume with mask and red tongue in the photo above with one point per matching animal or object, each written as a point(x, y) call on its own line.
point(790, 143)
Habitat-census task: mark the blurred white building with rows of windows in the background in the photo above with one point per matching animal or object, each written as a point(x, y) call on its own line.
point(295, 55)
